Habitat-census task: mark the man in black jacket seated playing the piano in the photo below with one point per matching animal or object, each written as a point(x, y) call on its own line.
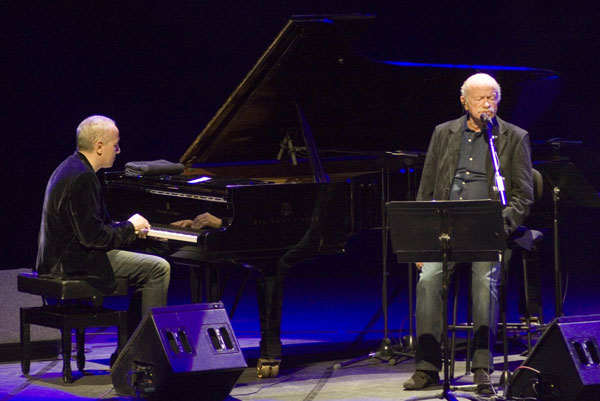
point(77, 236)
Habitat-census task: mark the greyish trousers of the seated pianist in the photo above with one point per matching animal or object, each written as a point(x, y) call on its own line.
point(149, 275)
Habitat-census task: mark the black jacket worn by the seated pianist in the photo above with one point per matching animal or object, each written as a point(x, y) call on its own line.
point(76, 230)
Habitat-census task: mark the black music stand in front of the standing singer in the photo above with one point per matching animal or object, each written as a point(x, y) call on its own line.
point(446, 231)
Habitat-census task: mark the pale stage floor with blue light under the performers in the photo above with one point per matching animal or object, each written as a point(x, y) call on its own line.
point(307, 373)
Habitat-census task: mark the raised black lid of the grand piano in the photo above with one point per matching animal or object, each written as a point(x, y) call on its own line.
point(350, 102)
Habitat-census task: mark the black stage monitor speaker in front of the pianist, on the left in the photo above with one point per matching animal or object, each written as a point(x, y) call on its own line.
point(180, 352)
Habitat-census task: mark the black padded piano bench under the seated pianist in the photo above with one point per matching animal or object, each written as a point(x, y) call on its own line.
point(79, 306)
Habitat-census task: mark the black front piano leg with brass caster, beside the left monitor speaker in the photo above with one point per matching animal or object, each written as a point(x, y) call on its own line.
point(270, 298)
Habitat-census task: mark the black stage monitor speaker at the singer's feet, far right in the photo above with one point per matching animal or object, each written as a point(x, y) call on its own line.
point(567, 357)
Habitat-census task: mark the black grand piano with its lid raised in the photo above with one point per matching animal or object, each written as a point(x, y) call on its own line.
point(304, 153)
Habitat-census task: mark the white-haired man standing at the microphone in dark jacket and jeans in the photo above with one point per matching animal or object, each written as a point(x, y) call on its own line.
point(458, 166)
